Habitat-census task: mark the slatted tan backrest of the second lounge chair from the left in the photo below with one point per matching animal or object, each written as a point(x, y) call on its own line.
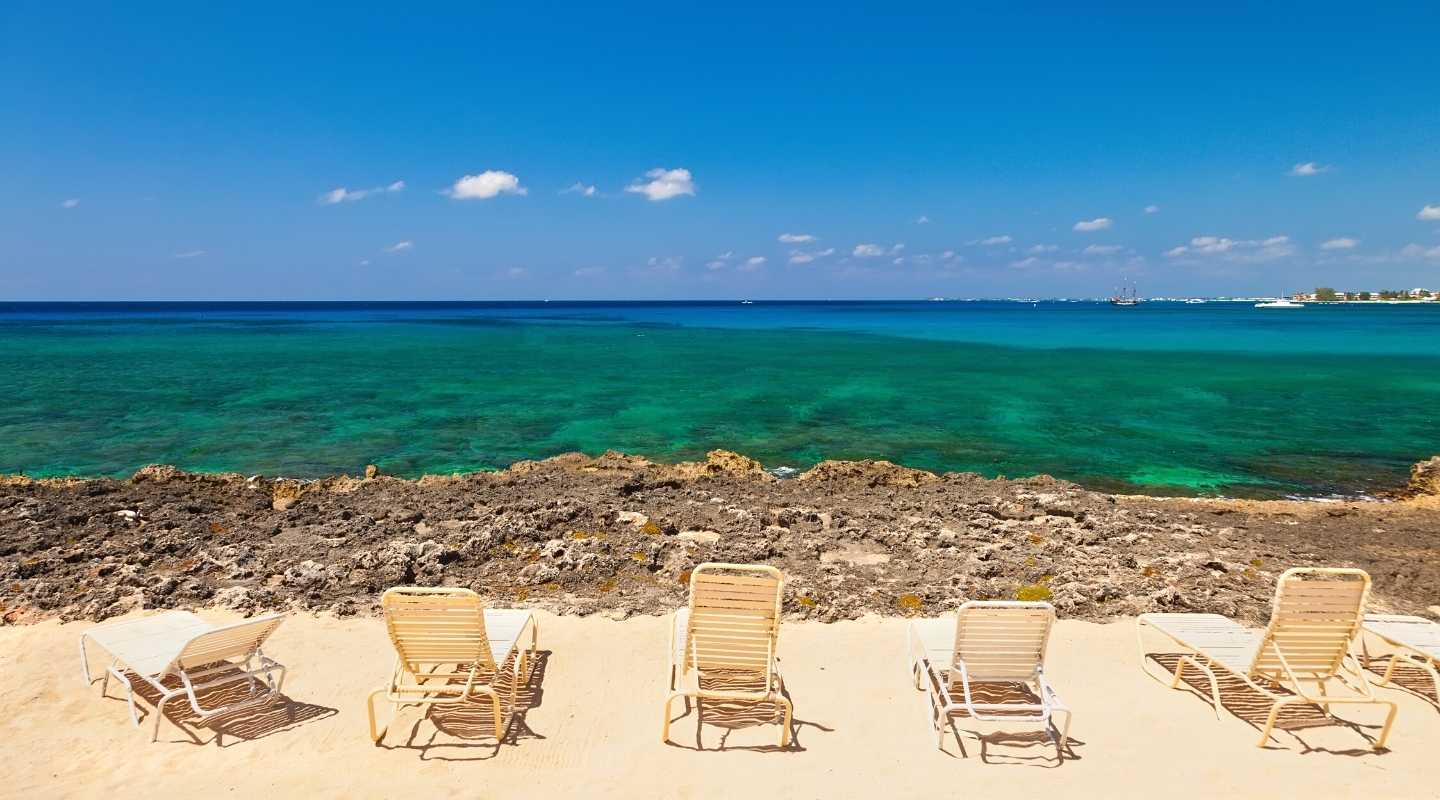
point(431, 625)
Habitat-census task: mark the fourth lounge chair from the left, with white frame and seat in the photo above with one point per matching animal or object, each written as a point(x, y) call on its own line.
point(999, 644)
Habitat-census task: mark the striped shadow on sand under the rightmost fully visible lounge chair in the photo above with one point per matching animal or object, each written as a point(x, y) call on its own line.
point(1254, 709)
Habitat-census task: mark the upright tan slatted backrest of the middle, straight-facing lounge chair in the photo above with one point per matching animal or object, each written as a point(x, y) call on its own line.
point(735, 618)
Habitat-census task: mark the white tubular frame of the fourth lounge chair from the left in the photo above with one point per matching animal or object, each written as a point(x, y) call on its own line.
point(940, 681)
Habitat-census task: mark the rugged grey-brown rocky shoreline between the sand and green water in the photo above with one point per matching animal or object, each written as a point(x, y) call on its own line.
point(618, 535)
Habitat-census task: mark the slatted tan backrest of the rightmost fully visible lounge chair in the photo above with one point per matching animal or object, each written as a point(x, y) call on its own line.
point(1315, 617)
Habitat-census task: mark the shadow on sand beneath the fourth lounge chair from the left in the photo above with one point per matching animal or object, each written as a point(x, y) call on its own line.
point(1023, 746)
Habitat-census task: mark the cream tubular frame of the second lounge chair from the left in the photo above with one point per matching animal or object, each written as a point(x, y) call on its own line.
point(402, 693)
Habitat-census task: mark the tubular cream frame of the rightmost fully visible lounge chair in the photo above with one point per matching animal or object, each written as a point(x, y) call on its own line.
point(1346, 668)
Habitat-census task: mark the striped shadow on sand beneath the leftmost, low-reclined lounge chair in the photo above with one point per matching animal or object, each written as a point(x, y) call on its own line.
point(246, 724)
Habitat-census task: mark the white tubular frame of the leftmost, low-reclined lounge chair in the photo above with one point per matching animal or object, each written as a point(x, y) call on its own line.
point(256, 670)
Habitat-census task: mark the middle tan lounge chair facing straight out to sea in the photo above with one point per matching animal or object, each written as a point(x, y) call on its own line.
point(722, 645)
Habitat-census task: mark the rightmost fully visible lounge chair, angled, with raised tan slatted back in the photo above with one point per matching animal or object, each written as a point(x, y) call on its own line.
point(1314, 622)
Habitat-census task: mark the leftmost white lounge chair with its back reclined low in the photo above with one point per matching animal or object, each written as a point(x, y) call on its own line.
point(179, 647)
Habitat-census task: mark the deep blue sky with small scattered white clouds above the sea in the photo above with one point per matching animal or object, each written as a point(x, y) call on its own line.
point(188, 153)
